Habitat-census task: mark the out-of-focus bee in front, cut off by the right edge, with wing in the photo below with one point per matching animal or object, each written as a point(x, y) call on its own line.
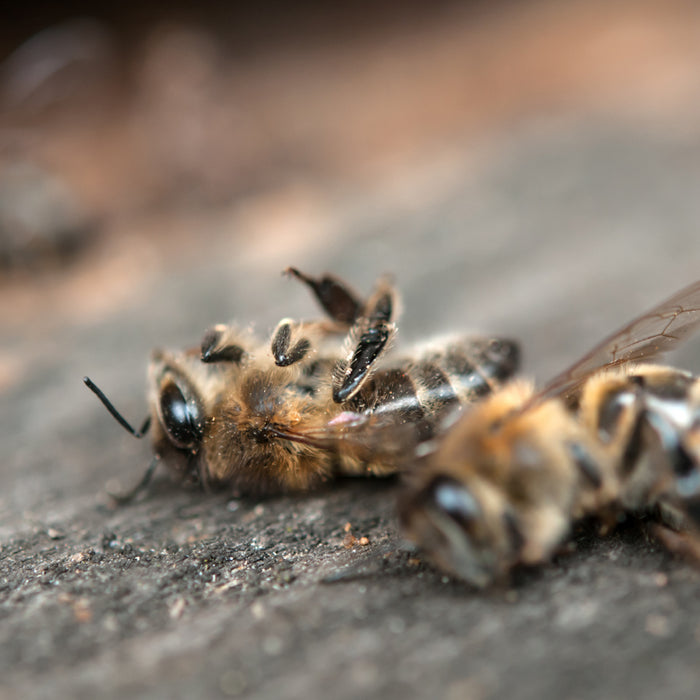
point(609, 436)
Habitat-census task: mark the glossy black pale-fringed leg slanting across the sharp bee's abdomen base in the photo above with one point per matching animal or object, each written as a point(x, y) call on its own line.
point(368, 339)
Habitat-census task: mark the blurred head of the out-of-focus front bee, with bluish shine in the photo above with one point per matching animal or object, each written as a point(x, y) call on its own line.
point(457, 529)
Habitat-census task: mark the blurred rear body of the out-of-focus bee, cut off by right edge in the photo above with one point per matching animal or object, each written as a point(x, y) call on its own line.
point(648, 421)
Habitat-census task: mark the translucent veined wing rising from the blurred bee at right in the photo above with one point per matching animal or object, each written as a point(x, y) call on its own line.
point(646, 337)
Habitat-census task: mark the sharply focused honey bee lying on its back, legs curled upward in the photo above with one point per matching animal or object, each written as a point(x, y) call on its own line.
point(286, 415)
